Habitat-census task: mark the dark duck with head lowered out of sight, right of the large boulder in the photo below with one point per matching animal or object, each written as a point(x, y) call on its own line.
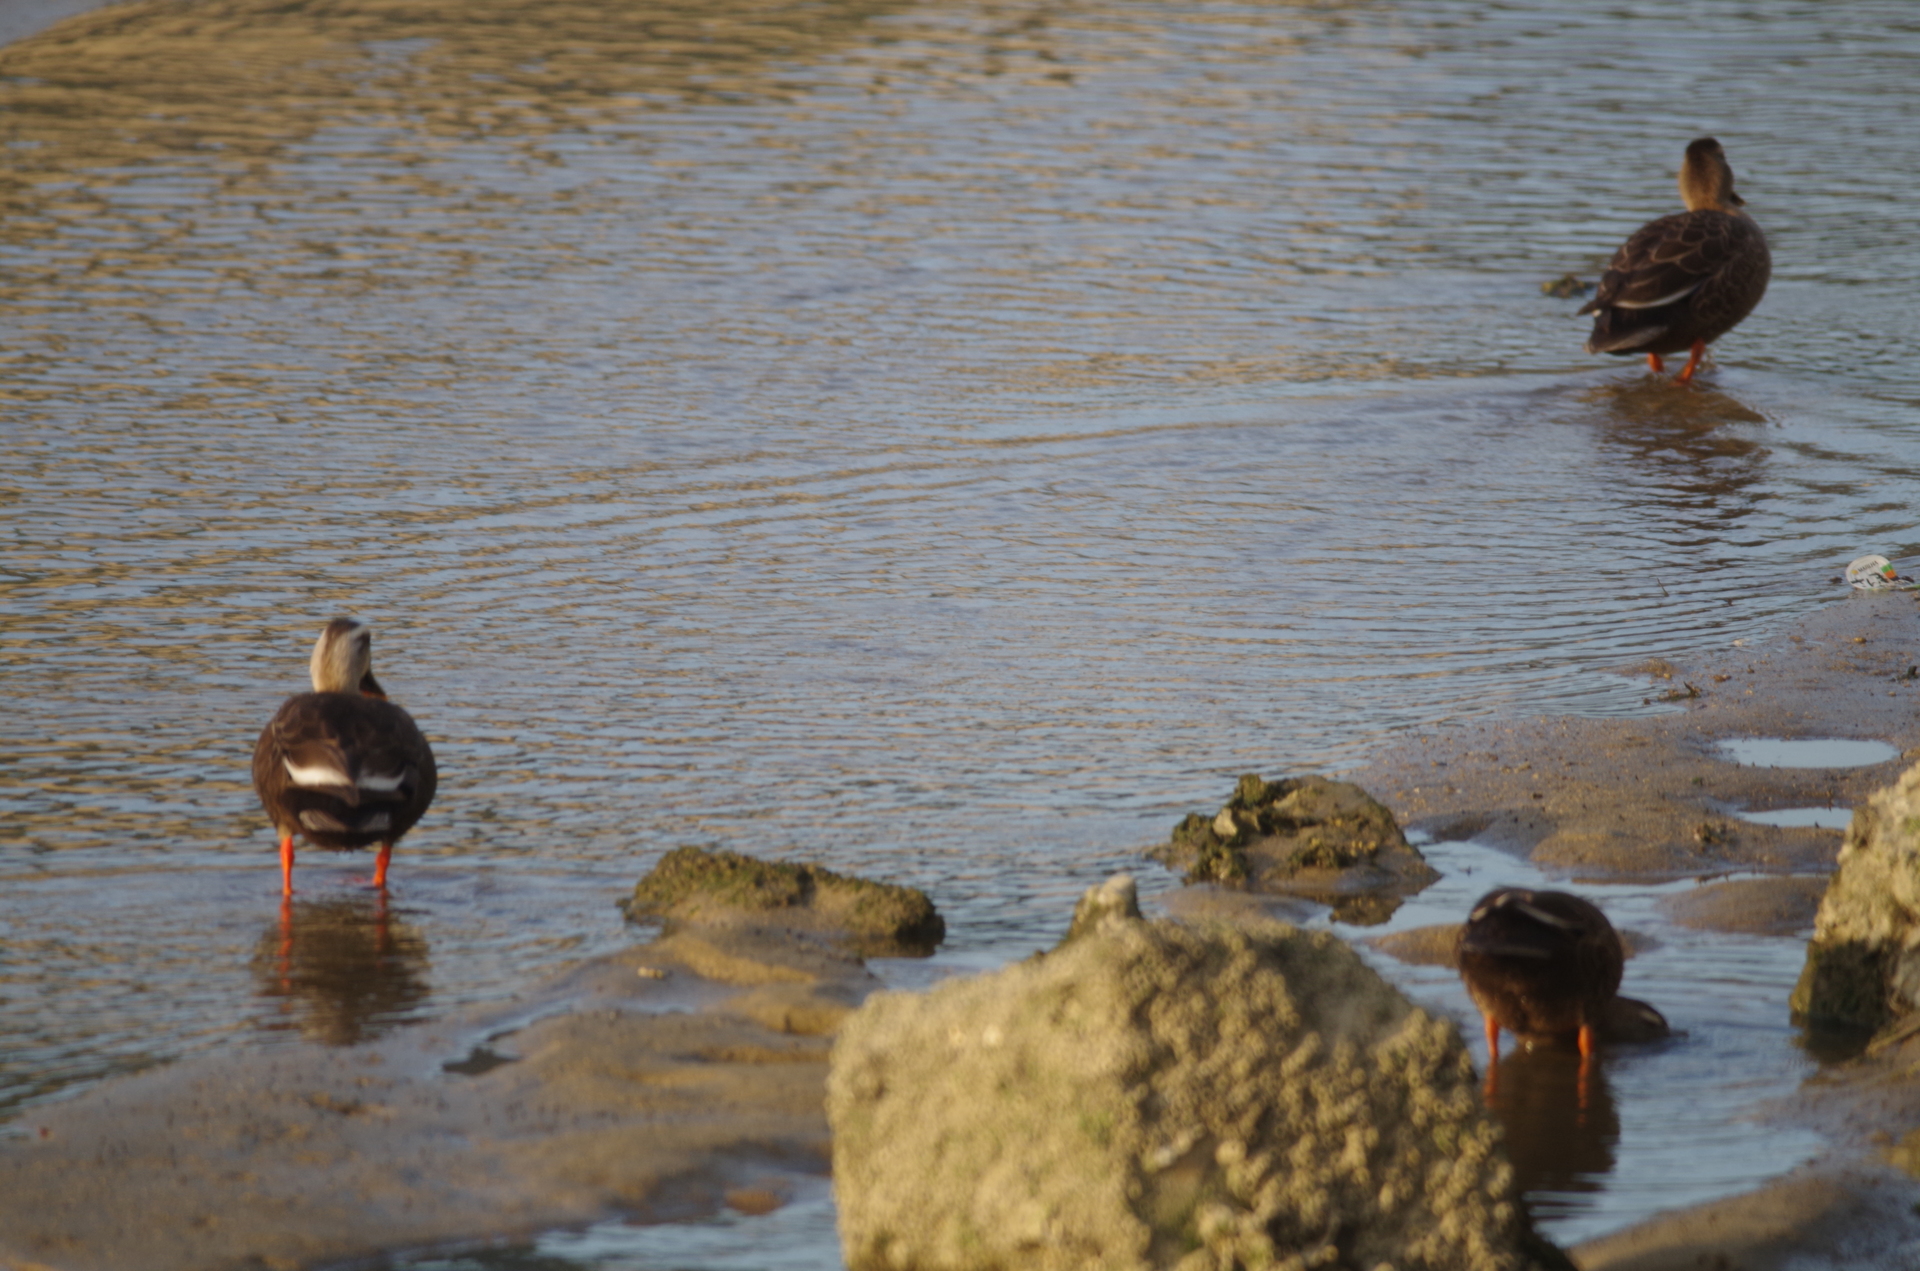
point(1547, 967)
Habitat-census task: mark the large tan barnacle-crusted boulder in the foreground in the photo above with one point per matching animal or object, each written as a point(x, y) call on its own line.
point(1164, 1095)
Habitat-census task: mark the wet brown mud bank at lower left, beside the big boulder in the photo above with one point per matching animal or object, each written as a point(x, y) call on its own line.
point(675, 1078)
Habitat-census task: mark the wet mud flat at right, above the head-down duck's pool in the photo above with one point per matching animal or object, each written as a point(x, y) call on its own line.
point(1654, 798)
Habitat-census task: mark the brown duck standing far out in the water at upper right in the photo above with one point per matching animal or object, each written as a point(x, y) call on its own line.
point(1683, 281)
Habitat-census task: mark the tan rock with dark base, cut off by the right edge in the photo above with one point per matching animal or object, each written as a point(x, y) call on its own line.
point(1863, 963)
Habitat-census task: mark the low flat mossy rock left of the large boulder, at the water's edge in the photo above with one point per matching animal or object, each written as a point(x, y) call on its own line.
point(721, 888)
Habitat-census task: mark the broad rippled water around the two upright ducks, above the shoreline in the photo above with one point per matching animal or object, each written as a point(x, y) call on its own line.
point(940, 441)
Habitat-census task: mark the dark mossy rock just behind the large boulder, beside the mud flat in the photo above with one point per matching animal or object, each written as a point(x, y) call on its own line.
point(1303, 836)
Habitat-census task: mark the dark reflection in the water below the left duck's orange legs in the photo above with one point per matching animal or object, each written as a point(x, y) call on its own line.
point(343, 971)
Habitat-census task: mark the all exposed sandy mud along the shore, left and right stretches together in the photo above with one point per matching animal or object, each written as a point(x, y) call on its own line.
point(684, 1076)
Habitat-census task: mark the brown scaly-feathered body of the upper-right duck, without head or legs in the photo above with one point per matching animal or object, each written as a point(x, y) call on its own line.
point(1648, 299)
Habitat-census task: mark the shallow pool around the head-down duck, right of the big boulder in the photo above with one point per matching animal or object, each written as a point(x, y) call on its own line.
point(1668, 1124)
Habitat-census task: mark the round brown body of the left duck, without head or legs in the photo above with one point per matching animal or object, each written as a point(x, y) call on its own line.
point(343, 769)
